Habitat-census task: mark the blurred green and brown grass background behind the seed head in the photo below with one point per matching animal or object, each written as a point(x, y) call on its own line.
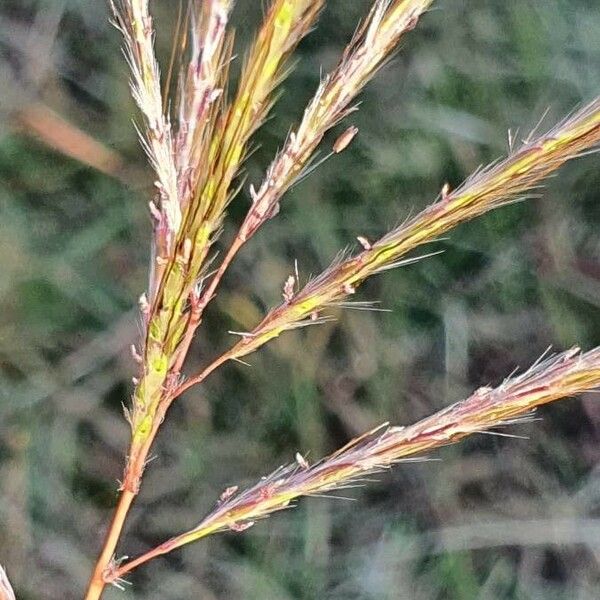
point(495, 518)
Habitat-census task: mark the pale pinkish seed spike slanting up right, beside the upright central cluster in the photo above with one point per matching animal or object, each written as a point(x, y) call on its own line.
point(372, 44)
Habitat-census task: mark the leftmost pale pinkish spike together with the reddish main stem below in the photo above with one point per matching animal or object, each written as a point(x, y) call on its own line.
point(133, 19)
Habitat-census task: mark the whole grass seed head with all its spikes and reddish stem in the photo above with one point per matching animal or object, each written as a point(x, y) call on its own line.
point(197, 133)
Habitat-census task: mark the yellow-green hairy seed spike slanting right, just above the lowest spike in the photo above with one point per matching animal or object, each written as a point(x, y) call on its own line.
point(489, 188)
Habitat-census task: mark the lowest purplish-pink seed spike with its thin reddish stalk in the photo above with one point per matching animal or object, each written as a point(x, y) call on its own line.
point(566, 374)
